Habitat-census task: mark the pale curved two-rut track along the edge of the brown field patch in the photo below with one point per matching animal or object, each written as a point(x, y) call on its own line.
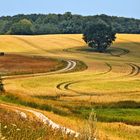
point(71, 64)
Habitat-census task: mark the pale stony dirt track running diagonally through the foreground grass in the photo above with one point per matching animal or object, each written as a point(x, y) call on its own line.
point(45, 120)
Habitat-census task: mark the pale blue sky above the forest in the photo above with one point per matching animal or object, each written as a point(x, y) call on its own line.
point(125, 8)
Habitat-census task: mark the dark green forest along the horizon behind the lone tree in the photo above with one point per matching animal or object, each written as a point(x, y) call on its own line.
point(35, 24)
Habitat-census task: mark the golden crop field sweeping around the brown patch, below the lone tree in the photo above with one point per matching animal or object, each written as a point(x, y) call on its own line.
point(111, 78)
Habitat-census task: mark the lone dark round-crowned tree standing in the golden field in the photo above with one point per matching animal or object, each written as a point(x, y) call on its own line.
point(99, 36)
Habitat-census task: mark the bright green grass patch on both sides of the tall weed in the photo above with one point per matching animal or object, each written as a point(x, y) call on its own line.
point(125, 115)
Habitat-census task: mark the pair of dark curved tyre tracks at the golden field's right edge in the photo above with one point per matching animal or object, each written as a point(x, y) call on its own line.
point(135, 70)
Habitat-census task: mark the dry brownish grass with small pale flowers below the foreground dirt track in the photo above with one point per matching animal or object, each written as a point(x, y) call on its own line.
point(12, 127)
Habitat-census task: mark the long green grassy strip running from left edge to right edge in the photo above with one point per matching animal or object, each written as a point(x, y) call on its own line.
point(104, 114)
